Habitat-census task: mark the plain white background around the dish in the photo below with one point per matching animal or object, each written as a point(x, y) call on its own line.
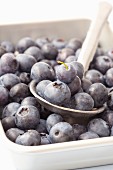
point(21, 11)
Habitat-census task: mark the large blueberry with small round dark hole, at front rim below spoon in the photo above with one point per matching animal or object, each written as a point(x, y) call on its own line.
point(61, 132)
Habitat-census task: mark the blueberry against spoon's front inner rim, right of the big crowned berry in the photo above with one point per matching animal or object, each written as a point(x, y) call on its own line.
point(83, 101)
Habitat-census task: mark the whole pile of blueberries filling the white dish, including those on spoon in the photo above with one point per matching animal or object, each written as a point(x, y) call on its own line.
point(61, 81)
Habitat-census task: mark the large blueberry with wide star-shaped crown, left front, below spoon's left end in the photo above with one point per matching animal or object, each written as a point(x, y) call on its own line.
point(27, 117)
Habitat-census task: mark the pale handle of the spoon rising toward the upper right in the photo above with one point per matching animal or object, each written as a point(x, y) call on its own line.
point(91, 42)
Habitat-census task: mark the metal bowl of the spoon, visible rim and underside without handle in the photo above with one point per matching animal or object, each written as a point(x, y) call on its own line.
point(65, 112)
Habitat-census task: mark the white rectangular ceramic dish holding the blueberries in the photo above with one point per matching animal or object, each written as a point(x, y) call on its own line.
point(68, 155)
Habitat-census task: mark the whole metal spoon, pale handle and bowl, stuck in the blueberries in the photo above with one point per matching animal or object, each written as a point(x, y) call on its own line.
point(87, 52)
